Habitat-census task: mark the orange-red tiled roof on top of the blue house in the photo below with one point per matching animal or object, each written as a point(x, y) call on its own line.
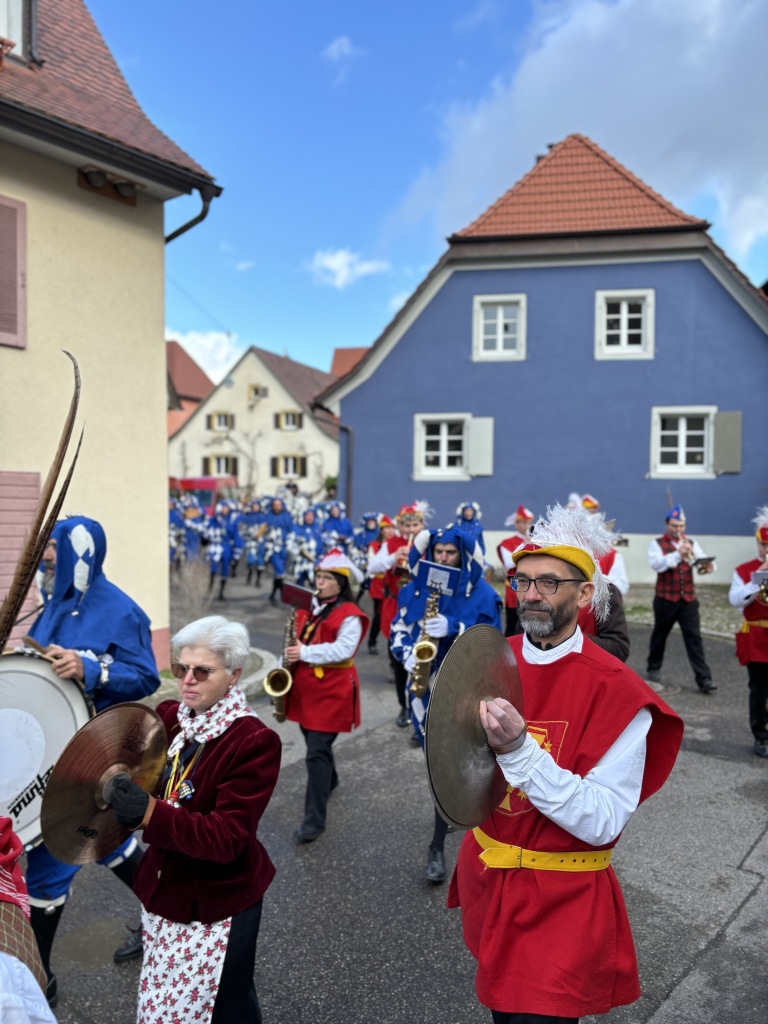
point(578, 189)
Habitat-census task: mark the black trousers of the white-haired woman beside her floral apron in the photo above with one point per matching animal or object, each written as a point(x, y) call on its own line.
point(237, 1002)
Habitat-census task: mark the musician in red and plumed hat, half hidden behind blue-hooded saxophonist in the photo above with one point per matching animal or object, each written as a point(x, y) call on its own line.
point(393, 561)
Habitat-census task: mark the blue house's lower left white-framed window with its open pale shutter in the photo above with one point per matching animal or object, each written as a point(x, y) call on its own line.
point(452, 447)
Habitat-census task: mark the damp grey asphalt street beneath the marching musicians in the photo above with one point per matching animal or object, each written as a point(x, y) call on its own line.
point(353, 933)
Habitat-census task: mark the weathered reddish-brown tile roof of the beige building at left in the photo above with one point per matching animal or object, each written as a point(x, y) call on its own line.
point(81, 84)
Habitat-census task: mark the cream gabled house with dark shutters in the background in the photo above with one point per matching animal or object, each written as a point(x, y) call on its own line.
point(260, 426)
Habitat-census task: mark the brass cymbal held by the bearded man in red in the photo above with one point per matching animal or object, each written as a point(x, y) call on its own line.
point(464, 779)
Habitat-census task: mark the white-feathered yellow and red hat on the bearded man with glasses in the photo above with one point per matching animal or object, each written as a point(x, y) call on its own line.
point(578, 538)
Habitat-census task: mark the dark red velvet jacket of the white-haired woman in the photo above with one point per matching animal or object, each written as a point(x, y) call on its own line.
point(204, 862)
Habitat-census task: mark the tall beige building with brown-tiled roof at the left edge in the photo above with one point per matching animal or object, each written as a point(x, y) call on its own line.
point(84, 178)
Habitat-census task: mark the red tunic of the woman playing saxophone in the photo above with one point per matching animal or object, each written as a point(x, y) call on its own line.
point(326, 699)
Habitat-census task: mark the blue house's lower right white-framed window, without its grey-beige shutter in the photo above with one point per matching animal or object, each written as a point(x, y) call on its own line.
point(684, 442)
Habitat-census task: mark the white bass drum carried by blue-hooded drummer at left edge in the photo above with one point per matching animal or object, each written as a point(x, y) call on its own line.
point(39, 715)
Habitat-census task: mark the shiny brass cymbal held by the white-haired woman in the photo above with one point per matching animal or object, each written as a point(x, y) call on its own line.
point(77, 823)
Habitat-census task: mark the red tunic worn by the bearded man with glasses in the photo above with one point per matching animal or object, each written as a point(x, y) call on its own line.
point(551, 943)
